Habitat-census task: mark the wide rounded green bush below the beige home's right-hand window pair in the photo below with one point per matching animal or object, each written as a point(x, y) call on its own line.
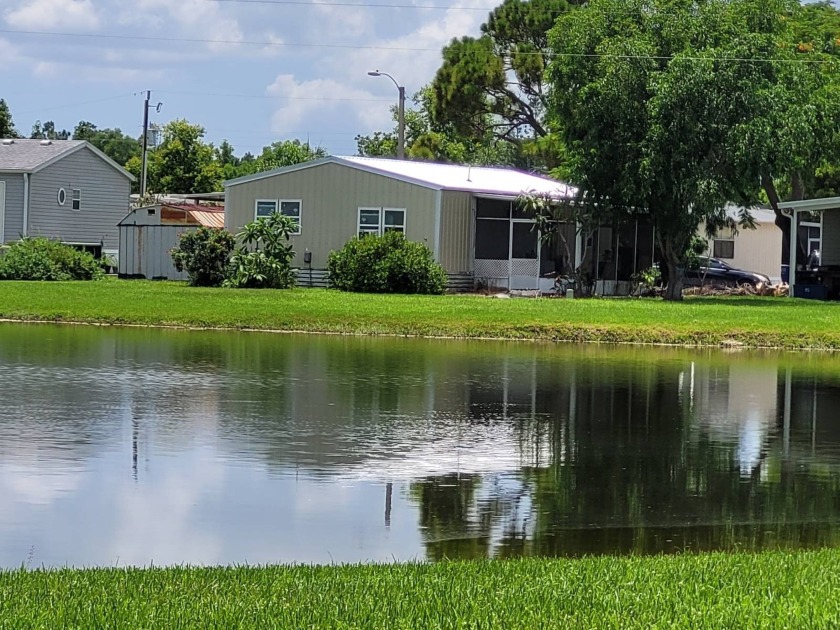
point(385, 264)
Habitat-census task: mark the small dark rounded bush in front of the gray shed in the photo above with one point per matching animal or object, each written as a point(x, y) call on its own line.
point(204, 255)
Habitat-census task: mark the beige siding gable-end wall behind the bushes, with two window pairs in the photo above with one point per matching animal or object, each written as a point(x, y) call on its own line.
point(331, 195)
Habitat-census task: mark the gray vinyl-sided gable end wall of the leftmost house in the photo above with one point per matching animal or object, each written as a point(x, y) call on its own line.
point(104, 200)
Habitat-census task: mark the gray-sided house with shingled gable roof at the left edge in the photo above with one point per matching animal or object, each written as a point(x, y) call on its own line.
point(64, 189)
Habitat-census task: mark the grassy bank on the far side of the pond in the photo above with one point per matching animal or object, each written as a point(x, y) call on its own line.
point(752, 321)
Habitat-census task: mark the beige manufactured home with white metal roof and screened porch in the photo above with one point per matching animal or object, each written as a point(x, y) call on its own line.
point(466, 215)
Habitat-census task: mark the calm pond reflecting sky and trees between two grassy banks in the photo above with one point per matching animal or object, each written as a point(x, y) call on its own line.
point(122, 446)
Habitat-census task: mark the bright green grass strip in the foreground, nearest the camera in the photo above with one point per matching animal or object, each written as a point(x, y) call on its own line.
point(771, 590)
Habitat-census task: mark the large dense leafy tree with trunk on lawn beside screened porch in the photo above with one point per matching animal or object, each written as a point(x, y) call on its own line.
point(653, 97)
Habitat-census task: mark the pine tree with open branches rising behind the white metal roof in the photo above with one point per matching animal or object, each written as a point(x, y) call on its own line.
point(495, 84)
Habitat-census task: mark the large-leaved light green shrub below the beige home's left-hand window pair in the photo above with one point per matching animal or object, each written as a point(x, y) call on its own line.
point(269, 264)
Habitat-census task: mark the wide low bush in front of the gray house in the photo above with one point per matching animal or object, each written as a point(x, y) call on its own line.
point(39, 258)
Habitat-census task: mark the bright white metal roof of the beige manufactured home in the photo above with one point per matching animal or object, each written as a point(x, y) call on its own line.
point(505, 182)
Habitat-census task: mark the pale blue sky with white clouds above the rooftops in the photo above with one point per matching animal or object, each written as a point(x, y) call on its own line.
point(250, 71)
